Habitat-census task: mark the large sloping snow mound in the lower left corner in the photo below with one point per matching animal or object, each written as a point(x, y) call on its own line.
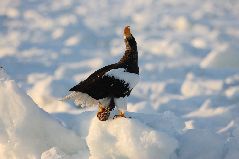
point(26, 130)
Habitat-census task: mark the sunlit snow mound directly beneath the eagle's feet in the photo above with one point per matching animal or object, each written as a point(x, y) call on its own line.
point(128, 138)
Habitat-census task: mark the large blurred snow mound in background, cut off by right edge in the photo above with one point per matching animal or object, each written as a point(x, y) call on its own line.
point(224, 57)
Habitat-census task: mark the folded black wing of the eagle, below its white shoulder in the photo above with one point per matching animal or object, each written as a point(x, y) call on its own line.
point(100, 85)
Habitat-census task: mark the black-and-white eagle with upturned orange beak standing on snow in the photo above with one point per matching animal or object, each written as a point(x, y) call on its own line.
point(110, 86)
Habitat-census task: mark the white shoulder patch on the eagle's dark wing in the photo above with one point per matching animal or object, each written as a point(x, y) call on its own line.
point(131, 78)
